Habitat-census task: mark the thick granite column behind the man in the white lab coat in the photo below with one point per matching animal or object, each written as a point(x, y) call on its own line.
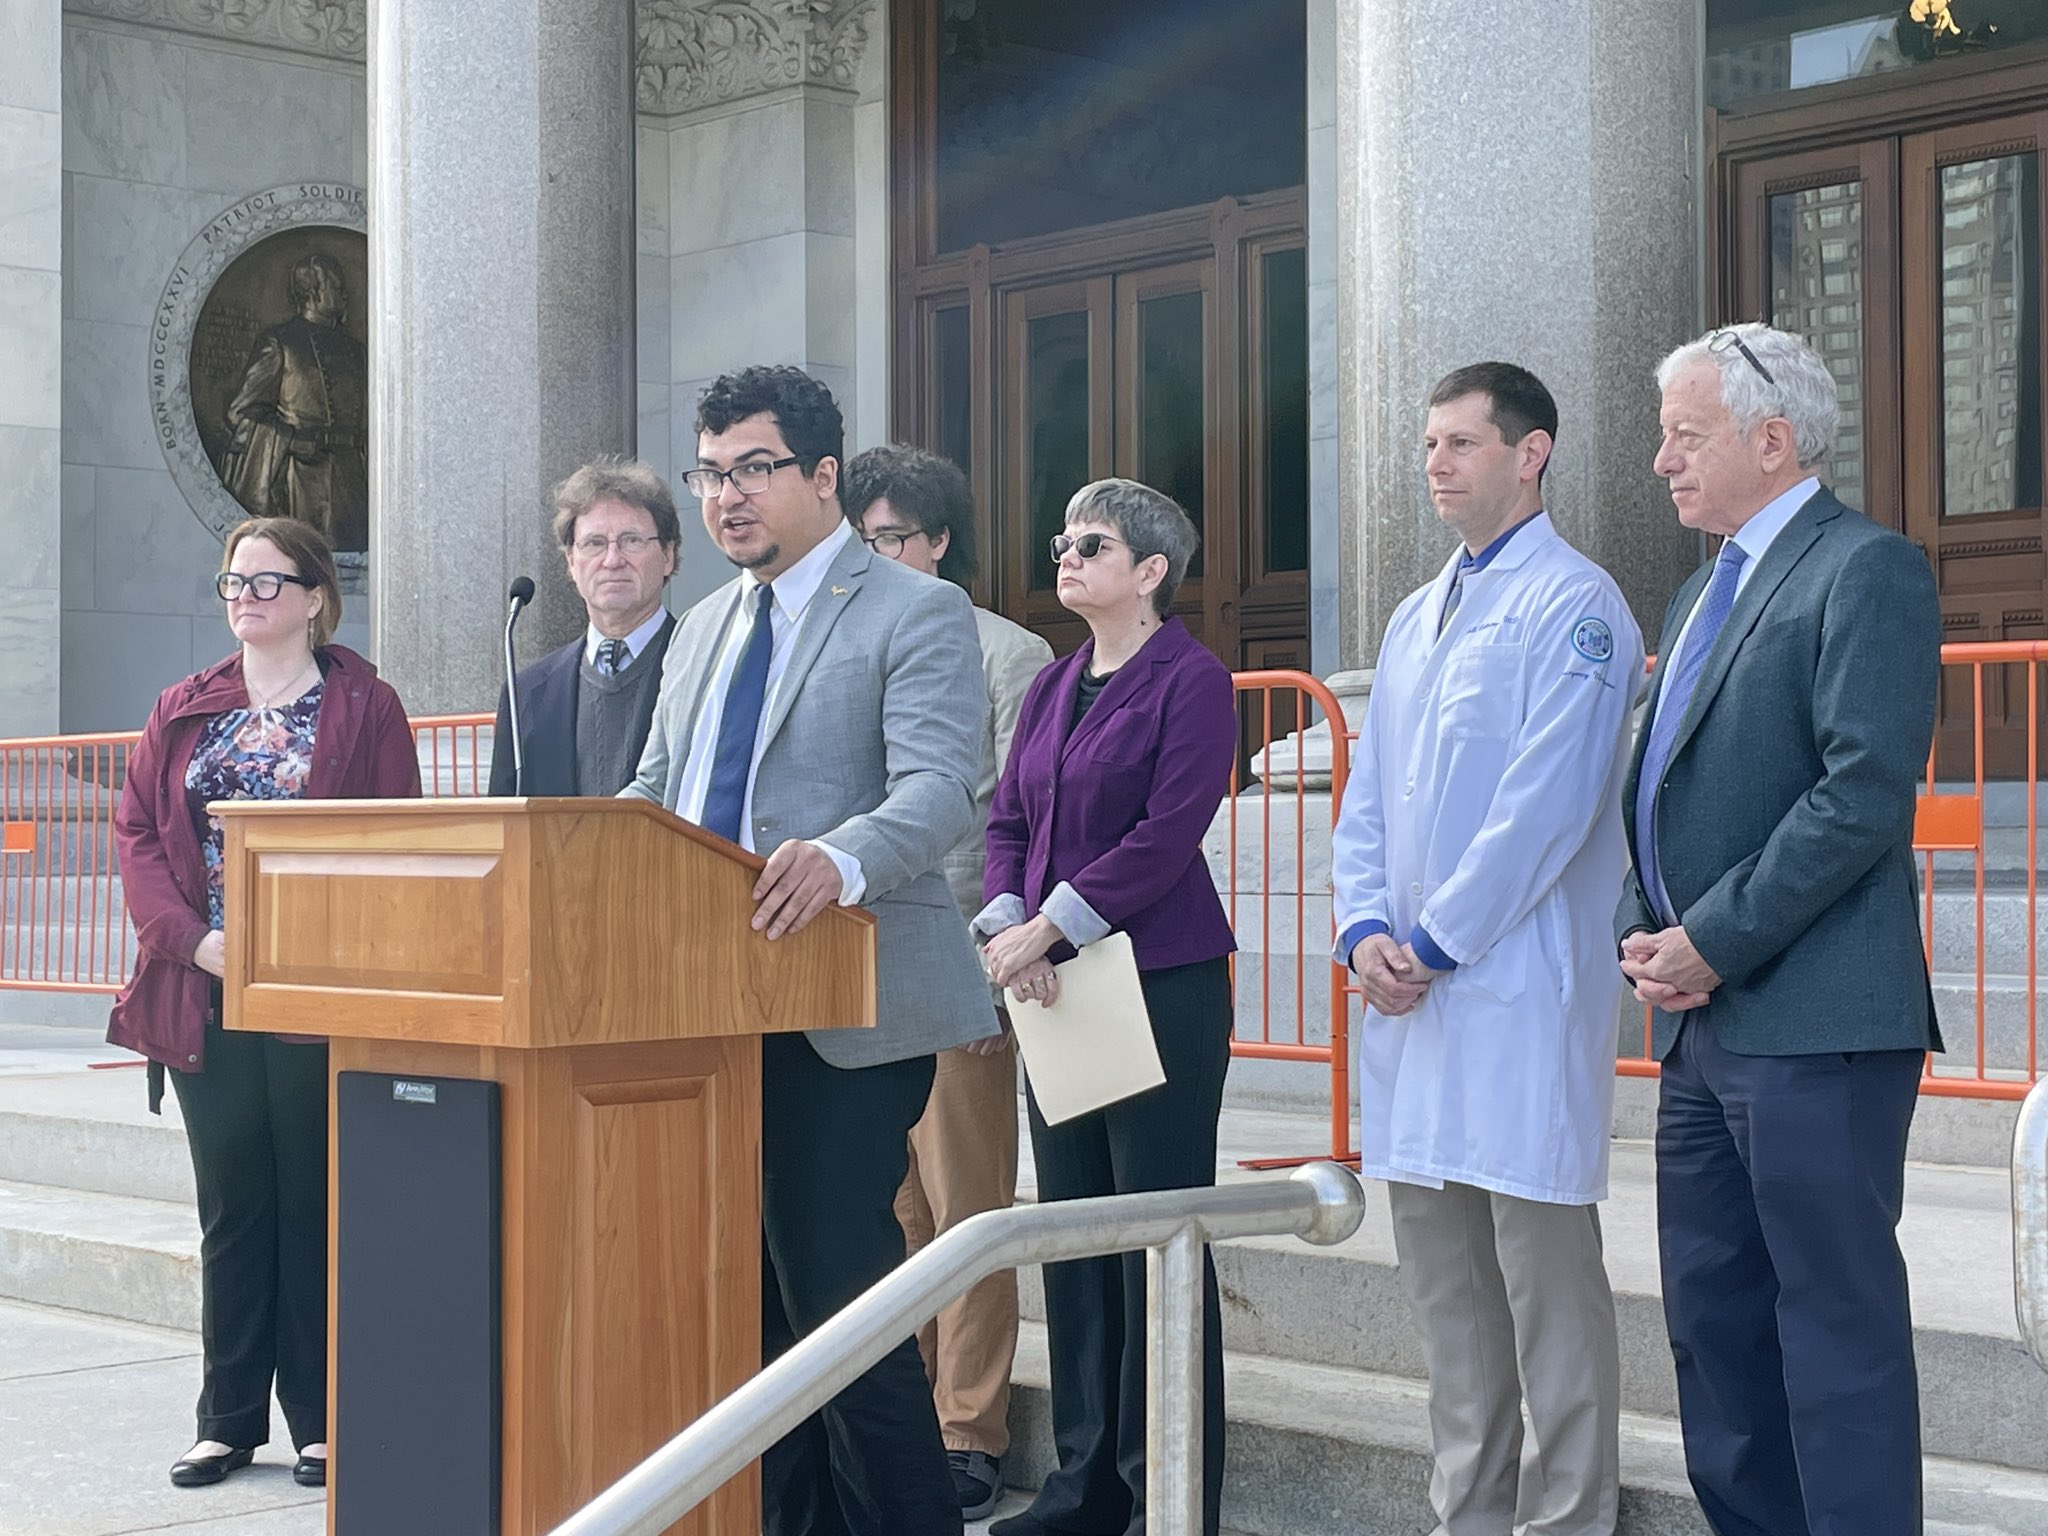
point(1517, 183)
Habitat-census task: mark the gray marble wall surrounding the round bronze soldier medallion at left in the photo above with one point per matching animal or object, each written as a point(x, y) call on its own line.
point(161, 134)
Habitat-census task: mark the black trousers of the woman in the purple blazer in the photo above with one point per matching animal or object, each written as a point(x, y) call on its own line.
point(1095, 1310)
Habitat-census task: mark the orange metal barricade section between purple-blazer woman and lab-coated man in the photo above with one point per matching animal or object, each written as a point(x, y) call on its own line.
point(1291, 900)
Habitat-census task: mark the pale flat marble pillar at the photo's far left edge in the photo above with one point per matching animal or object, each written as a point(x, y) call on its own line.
point(32, 310)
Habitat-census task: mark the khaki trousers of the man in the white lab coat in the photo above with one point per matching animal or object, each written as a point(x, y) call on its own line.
point(1514, 1306)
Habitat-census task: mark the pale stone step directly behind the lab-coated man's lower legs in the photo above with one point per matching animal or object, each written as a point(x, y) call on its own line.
point(1345, 1306)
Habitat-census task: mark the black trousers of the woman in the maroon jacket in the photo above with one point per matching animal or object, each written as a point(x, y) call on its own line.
point(257, 1123)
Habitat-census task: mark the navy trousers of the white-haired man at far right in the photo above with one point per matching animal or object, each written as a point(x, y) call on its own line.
point(1779, 1193)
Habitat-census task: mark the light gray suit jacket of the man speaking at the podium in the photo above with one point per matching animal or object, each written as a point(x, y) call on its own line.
point(873, 744)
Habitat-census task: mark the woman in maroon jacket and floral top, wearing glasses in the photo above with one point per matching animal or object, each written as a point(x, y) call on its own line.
point(288, 716)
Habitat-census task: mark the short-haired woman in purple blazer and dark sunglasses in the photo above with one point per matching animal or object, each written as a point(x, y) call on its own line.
point(1119, 763)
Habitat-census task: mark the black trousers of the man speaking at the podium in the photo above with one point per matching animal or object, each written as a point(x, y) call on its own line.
point(835, 1154)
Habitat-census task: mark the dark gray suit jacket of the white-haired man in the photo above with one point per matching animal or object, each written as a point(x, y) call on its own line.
point(1785, 820)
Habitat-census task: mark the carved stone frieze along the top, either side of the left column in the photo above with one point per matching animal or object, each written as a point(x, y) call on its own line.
point(691, 52)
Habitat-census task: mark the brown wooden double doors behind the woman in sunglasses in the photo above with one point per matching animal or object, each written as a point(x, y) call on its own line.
point(1170, 351)
